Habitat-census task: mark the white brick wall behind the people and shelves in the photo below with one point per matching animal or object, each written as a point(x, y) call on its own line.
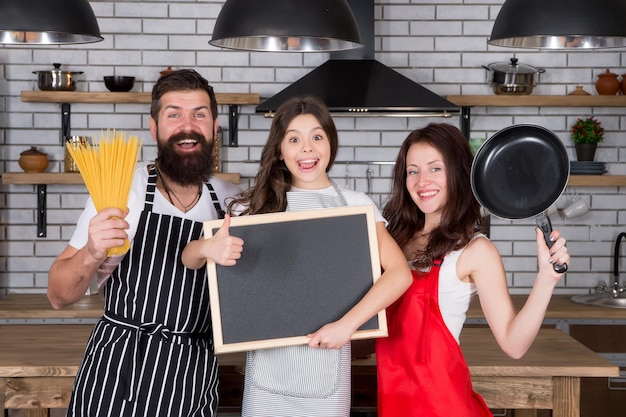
point(441, 44)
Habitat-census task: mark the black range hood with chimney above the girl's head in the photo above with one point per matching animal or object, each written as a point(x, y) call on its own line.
point(353, 83)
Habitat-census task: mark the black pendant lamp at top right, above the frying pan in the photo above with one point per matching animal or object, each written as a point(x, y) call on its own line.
point(560, 24)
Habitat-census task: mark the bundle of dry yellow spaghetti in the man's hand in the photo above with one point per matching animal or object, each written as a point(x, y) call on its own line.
point(107, 170)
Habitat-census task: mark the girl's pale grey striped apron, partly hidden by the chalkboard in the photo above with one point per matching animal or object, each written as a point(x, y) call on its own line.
point(299, 381)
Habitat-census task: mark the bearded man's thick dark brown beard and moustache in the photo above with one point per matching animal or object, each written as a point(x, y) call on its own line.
point(186, 168)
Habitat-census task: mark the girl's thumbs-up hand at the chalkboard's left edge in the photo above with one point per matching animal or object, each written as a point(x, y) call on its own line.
point(221, 248)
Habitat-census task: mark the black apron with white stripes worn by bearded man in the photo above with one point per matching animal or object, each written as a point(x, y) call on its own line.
point(151, 354)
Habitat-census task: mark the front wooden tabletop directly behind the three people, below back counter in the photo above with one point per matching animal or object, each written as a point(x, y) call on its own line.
point(56, 350)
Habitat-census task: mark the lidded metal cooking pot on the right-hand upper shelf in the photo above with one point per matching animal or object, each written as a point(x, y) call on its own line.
point(512, 77)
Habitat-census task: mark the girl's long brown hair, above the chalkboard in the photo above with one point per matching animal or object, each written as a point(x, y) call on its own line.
point(273, 180)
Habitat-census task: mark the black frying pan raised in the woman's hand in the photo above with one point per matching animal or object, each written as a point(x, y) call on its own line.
point(519, 172)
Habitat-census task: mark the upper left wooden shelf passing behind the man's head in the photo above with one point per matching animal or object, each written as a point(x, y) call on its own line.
point(125, 98)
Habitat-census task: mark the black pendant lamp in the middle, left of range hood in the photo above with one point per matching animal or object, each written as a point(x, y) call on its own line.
point(286, 26)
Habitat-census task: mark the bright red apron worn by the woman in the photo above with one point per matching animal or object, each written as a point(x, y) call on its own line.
point(421, 369)
